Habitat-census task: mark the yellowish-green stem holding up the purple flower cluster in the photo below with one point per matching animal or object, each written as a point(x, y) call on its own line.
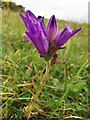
point(35, 97)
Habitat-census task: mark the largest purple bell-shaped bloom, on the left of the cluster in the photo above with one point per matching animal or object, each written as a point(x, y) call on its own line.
point(35, 32)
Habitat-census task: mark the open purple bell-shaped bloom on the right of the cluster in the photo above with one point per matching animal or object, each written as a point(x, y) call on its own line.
point(65, 34)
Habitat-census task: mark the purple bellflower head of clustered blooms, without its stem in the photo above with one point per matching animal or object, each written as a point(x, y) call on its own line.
point(46, 40)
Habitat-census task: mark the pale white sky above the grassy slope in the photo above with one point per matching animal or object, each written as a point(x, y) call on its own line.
point(76, 10)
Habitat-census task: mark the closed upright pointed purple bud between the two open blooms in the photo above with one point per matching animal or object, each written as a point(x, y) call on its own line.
point(51, 29)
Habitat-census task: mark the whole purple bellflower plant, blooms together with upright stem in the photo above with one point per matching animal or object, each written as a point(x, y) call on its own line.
point(47, 41)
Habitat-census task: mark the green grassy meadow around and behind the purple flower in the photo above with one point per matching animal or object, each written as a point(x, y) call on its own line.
point(65, 93)
